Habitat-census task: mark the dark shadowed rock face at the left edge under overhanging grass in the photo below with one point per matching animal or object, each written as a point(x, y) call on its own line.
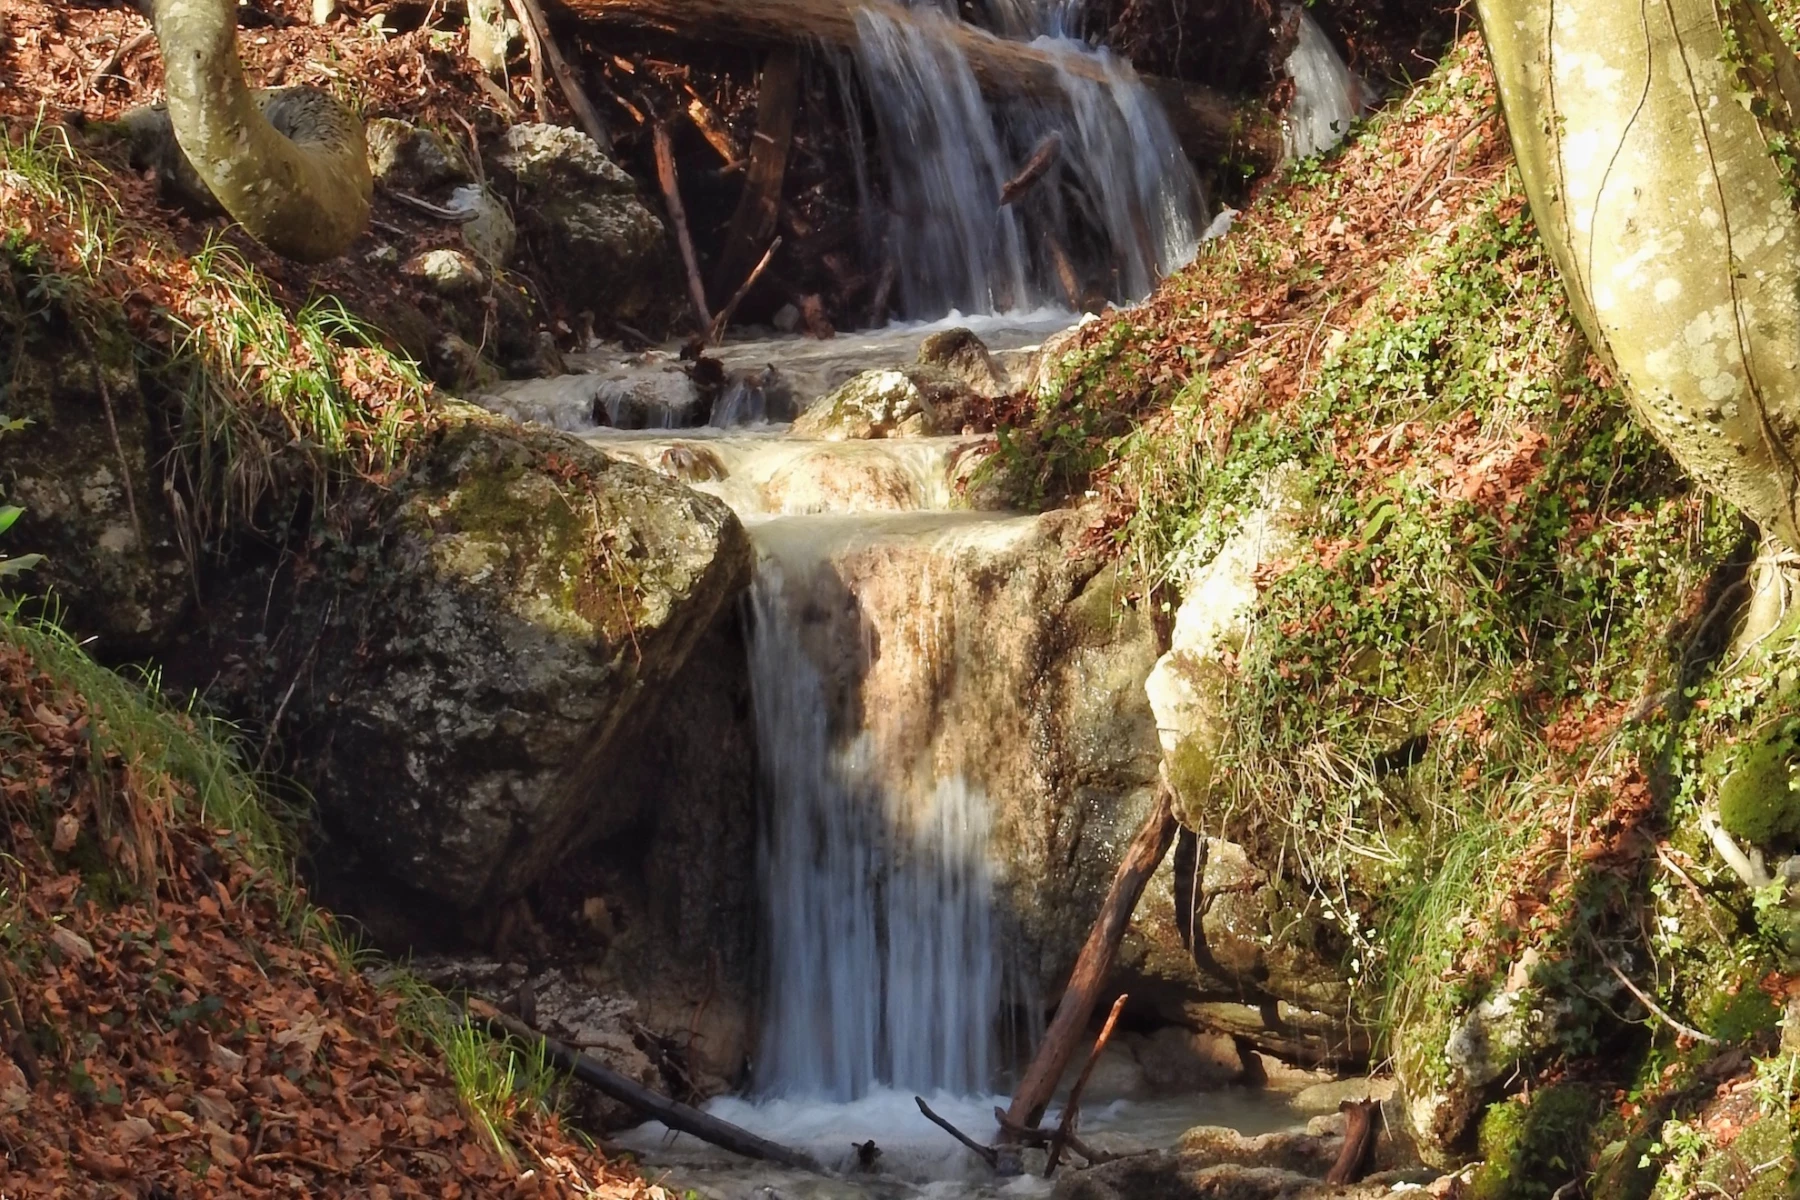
point(94, 503)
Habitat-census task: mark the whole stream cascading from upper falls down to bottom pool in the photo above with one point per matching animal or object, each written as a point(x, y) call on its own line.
point(888, 963)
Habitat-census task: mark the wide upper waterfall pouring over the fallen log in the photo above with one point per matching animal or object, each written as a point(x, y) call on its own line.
point(1120, 210)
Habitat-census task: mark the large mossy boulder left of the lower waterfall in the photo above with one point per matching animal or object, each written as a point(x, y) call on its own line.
point(467, 677)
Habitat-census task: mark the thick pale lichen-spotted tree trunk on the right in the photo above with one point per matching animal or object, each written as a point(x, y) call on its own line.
point(1653, 143)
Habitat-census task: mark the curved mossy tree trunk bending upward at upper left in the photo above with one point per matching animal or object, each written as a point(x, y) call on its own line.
point(287, 165)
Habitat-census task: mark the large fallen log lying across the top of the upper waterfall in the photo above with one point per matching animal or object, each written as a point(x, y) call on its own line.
point(1209, 123)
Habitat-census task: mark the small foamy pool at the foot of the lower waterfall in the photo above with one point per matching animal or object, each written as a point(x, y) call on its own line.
point(919, 1160)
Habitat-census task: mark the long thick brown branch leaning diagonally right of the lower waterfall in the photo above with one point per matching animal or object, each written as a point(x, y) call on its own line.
point(1079, 999)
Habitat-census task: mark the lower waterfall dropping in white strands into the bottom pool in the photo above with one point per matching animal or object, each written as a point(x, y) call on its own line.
point(877, 890)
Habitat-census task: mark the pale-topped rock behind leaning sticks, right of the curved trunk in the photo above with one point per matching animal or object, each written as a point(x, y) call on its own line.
point(598, 246)
